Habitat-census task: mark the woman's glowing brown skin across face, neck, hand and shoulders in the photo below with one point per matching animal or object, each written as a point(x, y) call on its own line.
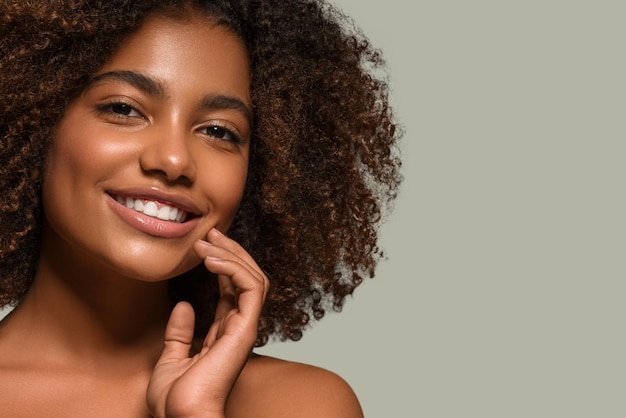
point(166, 119)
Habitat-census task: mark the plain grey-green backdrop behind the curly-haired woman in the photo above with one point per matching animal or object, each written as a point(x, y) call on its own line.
point(502, 294)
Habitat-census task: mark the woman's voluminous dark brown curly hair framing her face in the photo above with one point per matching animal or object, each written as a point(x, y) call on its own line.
point(324, 163)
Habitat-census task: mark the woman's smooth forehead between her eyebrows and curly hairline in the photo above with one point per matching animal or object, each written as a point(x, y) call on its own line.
point(193, 50)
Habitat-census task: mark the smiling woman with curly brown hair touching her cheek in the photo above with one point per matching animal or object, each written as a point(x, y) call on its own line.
point(135, 135)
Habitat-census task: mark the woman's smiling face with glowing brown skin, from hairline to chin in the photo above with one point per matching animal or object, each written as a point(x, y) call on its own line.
point(154, 153)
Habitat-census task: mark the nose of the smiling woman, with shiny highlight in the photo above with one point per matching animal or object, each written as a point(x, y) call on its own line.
point(167, 154)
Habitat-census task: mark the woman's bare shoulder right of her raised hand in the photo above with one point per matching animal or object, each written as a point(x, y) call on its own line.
point(270, 387)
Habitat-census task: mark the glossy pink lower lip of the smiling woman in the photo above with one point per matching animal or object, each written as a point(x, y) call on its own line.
point(152, 226)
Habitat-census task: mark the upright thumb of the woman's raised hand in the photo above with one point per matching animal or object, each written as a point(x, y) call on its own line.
point(178, 333)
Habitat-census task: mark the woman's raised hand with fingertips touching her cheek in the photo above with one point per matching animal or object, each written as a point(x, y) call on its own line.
point(199, 386)
